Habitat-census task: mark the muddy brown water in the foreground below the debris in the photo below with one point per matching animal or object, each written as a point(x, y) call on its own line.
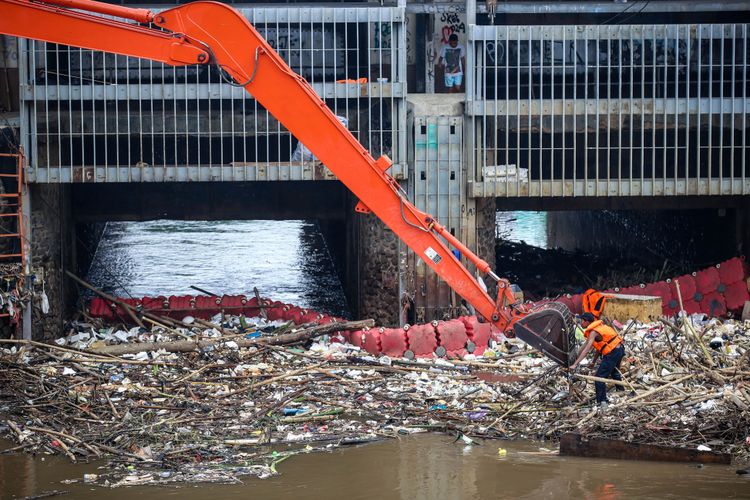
point(419, 467)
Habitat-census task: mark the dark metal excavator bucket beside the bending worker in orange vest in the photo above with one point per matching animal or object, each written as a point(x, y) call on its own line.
point(550, 329)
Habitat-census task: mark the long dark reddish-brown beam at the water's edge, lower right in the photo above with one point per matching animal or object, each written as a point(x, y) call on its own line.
point(575, 445)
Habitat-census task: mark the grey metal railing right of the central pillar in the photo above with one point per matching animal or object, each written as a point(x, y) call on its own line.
point(640, 110)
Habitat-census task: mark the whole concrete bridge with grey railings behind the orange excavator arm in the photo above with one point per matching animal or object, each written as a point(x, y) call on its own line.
point(565, 105)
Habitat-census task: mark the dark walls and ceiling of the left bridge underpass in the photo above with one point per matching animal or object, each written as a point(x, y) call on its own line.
point(68, 220)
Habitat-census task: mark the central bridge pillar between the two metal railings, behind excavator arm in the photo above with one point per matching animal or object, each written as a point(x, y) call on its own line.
point(380, 275)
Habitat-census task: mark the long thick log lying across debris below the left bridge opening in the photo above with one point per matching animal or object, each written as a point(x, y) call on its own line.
point(193, 345)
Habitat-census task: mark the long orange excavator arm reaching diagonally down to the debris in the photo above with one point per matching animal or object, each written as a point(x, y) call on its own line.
point(214, 33)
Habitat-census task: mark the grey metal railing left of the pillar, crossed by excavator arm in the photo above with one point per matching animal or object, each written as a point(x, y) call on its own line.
point(95, 117)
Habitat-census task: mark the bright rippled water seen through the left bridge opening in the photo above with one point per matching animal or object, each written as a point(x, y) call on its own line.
point(285, 260)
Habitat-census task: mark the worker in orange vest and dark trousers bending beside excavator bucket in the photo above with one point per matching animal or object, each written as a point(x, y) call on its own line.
point(609, 345)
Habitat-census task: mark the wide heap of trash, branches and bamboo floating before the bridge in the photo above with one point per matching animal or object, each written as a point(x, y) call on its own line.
point(236, 396)
